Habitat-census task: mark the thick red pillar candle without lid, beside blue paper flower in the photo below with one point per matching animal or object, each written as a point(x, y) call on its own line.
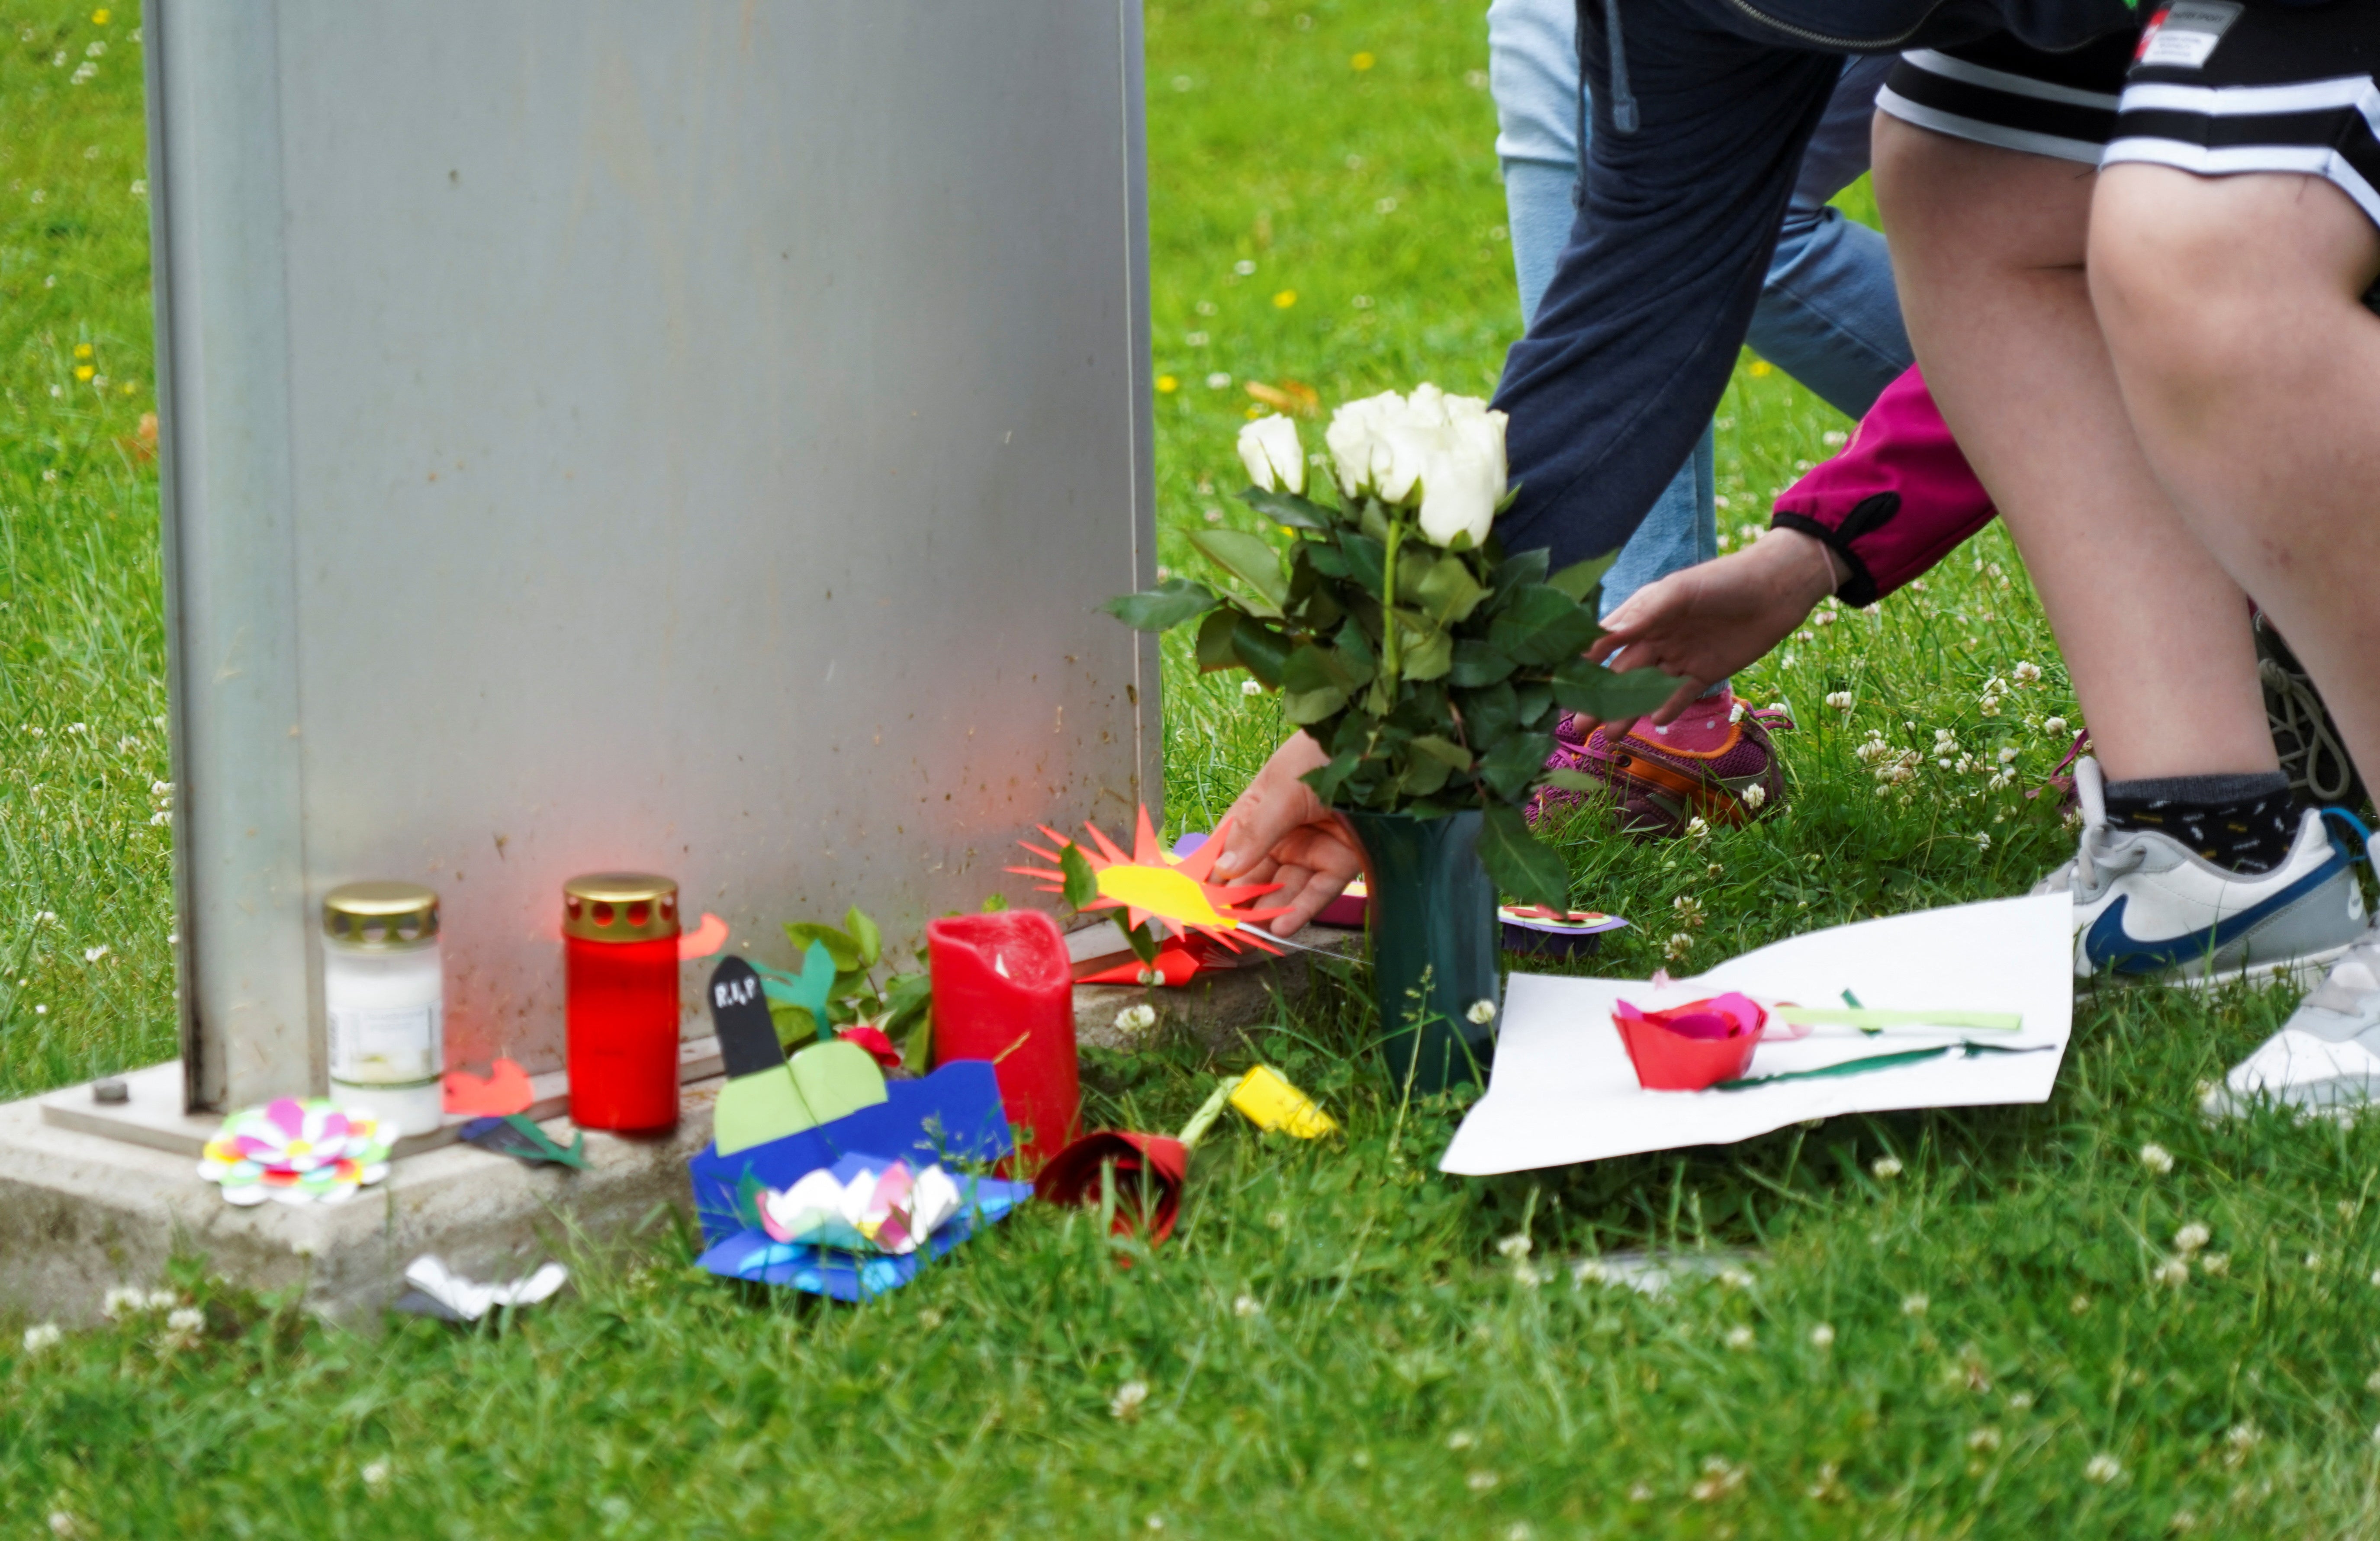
point(1003, 992)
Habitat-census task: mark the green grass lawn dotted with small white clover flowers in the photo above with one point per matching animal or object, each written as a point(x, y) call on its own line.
point(1946, 1325)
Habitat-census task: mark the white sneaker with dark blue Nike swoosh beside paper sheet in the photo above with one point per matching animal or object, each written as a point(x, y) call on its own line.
point(2148, 906)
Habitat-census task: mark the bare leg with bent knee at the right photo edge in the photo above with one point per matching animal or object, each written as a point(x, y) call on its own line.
point(2253, 378)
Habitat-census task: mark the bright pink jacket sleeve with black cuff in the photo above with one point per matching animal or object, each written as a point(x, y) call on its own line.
point(1896, 501)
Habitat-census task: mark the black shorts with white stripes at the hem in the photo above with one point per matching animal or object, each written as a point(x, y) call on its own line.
point(2210, 87)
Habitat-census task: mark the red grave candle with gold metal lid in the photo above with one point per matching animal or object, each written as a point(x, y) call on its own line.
point(620, 940)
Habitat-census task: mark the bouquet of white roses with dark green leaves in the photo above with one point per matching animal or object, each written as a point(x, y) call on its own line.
point(1424, 659)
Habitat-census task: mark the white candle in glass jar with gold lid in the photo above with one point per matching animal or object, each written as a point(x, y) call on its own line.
point(384, 1002)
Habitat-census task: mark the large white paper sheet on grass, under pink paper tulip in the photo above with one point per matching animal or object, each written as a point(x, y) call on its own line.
point(1565, 1092)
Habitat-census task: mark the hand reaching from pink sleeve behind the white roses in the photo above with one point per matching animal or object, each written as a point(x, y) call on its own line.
point(1710, 620)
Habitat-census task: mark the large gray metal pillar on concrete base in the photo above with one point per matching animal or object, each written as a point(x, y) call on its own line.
point(668, 435)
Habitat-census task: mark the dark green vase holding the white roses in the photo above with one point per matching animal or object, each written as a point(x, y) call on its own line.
point(1432, 921)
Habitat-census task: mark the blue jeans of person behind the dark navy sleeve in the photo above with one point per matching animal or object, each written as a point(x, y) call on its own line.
point(1827, 311)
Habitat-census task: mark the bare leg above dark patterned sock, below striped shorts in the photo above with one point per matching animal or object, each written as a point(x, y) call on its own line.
point(1988, 254)
